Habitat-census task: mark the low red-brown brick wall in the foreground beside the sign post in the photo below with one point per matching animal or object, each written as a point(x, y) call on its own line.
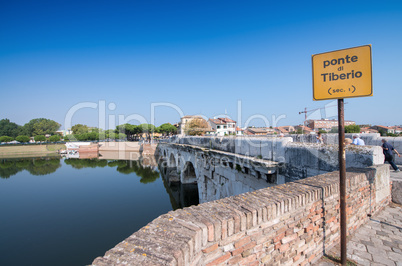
point(287, 224)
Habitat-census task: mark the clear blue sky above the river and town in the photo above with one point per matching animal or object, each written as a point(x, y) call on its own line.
point(201, 56)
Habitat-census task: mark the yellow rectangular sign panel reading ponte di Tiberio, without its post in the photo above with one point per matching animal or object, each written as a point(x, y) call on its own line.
point(342, 74)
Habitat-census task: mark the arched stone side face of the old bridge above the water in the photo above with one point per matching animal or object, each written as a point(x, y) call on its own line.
point(218, 174)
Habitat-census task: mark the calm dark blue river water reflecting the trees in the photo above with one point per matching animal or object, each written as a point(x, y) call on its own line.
point(68, 212)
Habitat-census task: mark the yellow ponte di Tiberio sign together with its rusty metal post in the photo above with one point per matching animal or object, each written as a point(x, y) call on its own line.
point(342, 74)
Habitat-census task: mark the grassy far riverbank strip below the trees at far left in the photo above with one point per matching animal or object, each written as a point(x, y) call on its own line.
point(30, 150)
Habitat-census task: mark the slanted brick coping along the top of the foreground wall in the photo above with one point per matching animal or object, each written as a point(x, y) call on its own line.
point(178, 236)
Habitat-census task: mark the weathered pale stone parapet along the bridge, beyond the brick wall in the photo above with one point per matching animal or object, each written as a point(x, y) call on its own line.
point(299, 159)
